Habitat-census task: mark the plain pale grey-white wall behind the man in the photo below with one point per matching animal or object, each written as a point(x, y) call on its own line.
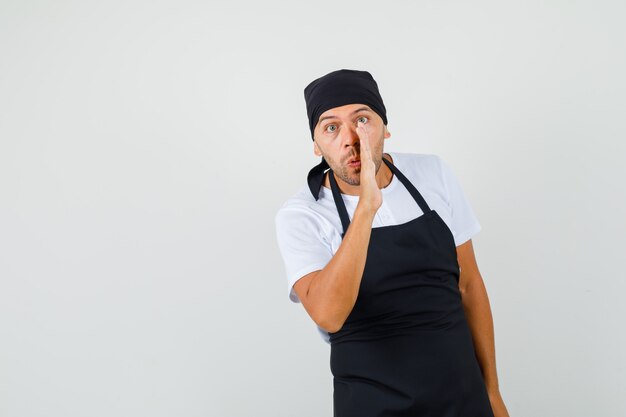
point(145, 148)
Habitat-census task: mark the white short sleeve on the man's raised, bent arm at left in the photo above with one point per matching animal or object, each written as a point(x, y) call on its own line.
point(302, 243)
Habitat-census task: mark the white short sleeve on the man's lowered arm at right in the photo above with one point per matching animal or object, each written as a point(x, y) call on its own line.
point(464, 221)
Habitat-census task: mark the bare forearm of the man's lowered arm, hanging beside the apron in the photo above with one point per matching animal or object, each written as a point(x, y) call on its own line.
point(480, 321)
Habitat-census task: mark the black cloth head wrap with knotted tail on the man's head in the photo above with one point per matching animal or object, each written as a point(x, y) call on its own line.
point(335, 89)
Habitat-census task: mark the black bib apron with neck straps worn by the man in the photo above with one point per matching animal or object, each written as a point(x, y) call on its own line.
point(406, 348)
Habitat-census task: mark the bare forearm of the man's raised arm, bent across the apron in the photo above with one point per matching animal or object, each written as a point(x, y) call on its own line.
point(334, 291)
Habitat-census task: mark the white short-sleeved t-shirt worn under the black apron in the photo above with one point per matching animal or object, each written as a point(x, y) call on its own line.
point(309, 231)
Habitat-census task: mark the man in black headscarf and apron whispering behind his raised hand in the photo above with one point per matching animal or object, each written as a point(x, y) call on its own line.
point(374, 248)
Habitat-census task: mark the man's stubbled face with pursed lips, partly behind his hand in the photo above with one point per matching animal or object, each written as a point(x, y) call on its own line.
point(335, 139)
